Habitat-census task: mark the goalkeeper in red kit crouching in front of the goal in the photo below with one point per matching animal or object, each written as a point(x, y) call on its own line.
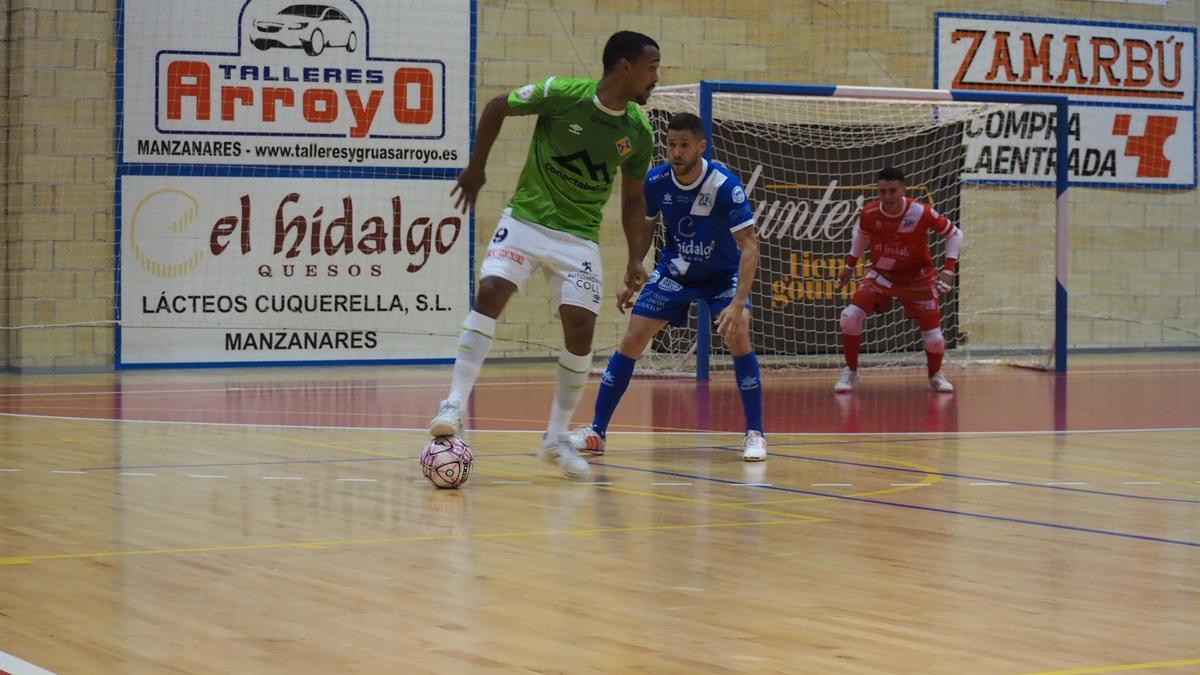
point(897, 230)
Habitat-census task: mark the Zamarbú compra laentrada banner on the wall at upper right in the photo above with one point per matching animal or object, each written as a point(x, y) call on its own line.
point(1133, 92)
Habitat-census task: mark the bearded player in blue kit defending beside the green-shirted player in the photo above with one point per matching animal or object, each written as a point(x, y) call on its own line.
point(712, 255)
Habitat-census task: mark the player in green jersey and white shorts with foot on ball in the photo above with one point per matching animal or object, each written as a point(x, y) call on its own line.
point(587, 132)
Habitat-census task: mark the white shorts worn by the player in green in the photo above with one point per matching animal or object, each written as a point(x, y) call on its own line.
point(572, 265)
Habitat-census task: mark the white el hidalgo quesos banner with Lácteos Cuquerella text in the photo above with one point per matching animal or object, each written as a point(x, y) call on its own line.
point(223, 270)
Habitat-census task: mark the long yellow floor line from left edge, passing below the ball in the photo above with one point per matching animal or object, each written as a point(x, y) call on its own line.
point(332, 543)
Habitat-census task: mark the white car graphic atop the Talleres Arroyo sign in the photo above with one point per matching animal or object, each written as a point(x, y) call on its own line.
point(311, 27)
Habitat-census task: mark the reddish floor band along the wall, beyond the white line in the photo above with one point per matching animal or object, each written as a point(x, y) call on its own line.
point(795, 402)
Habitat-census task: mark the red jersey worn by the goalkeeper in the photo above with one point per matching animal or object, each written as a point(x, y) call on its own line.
point(901, 243)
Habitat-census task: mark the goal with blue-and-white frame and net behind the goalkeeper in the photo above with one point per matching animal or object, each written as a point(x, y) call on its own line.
point(797, 145)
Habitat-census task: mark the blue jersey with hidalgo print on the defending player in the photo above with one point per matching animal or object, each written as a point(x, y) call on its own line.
point(700, 223)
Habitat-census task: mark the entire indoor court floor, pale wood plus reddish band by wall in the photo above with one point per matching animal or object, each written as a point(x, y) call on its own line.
point(274, 521)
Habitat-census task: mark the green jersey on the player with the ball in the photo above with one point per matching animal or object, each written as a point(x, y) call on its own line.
point(577, 148)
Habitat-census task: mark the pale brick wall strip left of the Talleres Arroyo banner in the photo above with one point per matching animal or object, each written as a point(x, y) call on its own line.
point(59, 229)
